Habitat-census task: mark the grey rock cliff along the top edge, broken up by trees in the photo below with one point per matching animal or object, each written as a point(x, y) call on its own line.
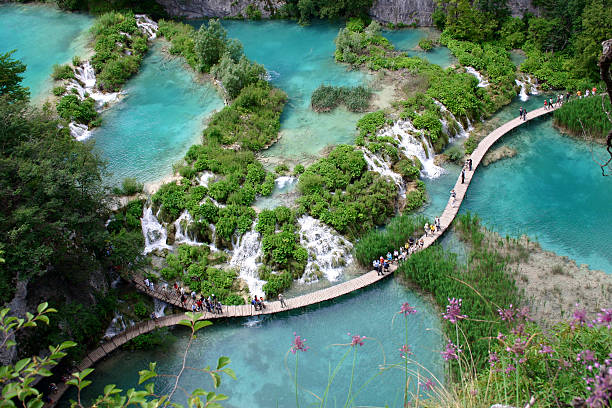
point(387, 11)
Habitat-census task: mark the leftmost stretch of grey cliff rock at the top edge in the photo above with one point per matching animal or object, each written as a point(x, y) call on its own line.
point(219, 8)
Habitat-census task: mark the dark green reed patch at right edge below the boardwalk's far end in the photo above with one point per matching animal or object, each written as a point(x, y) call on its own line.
point(585, 115)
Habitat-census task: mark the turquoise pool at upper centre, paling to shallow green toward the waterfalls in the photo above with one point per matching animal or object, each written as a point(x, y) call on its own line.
point(299, 59)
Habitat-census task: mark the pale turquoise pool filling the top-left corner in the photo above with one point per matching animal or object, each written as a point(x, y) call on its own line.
point(43, 36)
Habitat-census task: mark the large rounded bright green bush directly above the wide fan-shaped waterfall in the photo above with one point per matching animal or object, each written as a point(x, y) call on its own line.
point(341, 192)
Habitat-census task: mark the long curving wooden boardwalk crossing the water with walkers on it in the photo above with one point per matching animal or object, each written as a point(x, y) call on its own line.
point(171, 297)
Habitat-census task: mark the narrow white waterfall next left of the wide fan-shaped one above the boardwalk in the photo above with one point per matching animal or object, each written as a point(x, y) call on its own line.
point(246, 258)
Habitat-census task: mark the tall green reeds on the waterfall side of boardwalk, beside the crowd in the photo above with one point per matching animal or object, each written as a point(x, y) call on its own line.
point(377, 243)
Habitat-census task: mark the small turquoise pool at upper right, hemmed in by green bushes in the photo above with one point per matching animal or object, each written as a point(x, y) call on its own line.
point(408, 39)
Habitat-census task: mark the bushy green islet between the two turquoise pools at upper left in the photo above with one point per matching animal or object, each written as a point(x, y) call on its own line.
point(119, 48)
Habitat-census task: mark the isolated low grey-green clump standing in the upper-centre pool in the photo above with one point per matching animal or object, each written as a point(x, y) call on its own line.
point(326, 98)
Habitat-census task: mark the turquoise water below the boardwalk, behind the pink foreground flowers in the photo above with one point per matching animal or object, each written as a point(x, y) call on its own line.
point(259, 352)
